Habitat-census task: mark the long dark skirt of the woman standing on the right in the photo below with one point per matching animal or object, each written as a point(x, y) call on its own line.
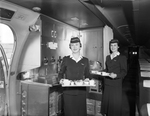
point(112, 100)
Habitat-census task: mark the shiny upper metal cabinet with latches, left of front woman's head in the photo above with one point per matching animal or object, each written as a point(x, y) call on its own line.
point(55, 39)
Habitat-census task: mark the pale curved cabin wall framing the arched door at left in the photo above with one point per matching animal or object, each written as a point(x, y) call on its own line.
point(19, 23)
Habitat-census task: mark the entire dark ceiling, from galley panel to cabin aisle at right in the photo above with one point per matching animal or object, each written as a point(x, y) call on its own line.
point(129, 19)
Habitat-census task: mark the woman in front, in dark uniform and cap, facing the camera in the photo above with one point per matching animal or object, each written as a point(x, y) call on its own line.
point(74, 67)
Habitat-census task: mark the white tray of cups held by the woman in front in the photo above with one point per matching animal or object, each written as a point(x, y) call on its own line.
point(77, 83)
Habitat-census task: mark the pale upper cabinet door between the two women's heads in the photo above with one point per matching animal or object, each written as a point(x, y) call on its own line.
point(93, 45)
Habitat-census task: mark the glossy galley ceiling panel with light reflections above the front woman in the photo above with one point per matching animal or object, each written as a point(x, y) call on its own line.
point(71, 12)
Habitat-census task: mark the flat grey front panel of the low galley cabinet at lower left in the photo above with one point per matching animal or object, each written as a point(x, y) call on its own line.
point(34, 99)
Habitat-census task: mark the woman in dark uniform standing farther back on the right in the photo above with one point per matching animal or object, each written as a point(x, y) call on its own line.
point(116, 66)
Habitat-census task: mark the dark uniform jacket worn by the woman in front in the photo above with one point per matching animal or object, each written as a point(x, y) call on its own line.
point(72, 70)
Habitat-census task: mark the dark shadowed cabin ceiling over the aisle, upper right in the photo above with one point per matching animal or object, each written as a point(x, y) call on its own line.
point(133, 22)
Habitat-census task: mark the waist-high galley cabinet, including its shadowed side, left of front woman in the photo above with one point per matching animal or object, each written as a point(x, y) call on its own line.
point(40, 99)
